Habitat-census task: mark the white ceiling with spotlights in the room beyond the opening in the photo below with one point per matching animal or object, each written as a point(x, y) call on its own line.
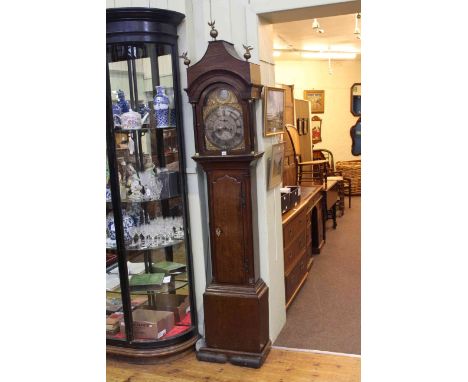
point(298, 35)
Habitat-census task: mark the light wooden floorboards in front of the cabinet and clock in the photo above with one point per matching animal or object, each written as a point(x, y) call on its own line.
point(280, 366)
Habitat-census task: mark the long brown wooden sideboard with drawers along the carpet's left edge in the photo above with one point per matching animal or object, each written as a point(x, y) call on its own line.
point(303, 235)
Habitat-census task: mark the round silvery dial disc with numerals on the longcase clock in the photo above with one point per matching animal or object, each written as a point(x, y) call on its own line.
point(224, 128)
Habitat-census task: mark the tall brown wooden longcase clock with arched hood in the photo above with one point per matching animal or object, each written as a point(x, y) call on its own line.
point(222, 89)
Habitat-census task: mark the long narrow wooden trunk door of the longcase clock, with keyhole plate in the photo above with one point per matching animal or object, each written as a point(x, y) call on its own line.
point(228, 223)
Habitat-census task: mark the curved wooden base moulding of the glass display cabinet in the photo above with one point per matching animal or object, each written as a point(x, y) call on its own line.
point(153, 356)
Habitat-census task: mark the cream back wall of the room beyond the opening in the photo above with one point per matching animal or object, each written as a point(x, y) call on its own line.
point(337, 118)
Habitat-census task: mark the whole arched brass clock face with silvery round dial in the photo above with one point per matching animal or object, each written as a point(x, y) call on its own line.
point(223, 121)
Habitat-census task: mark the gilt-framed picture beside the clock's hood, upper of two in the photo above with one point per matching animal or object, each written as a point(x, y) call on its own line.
point(273, 111)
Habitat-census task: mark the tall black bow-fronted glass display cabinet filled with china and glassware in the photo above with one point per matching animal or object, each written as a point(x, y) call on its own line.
point(150, 307)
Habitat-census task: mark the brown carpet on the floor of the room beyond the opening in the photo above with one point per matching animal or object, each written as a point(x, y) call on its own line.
point(326, 314)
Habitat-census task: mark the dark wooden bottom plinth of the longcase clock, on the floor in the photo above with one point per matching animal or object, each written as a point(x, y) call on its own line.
point(238, 358)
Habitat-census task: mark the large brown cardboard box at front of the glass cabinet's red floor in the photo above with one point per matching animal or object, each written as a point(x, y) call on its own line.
point(150, 324)
